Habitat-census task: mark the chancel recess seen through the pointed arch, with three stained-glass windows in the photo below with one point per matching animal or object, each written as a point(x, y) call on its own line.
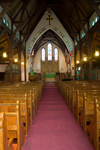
point(49, 54)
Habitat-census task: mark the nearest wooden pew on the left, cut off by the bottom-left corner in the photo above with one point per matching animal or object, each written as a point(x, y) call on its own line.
point(5, 144)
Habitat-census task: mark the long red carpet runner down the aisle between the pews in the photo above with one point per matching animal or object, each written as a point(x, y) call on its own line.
point(54, 127)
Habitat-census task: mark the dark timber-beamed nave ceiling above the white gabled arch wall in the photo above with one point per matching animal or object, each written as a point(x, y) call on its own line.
point(27, 13)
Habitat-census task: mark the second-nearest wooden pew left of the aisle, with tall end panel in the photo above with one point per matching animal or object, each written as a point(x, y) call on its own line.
point(15, 128)
